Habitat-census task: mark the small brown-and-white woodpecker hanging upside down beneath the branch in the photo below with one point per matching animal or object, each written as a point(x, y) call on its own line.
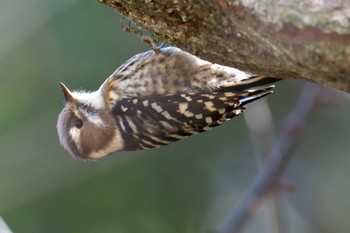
point(153, 99)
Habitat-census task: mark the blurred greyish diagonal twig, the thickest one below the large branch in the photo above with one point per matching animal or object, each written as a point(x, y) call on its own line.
point(276, 163)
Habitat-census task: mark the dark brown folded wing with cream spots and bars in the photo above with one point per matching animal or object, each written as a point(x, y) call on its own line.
point(153, 121)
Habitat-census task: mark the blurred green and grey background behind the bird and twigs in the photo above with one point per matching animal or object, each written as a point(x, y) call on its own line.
point(188, 186)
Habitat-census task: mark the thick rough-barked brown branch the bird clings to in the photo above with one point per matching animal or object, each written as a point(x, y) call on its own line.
point(287, 39)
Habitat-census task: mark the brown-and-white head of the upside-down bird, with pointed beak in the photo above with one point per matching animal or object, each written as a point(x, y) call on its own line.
point(86, 128)
